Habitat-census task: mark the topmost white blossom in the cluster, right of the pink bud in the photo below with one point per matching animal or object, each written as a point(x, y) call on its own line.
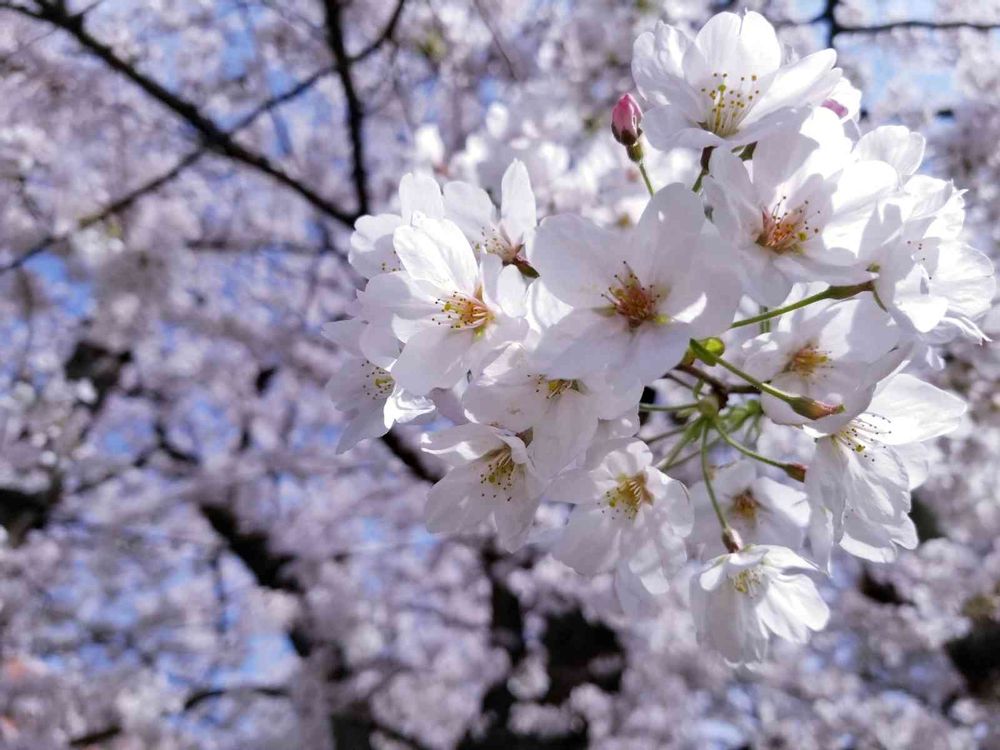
point(726, 87)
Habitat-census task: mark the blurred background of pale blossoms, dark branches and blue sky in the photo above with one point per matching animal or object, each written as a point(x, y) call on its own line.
point(185, 560)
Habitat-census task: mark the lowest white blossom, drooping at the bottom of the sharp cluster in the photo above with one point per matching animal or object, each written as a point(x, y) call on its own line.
point(740, 599)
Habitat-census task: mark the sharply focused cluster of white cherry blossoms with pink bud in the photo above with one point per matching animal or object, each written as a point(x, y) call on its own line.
point(796, 289)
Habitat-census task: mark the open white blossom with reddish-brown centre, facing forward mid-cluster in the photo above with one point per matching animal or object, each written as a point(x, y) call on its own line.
point(635, 301)
